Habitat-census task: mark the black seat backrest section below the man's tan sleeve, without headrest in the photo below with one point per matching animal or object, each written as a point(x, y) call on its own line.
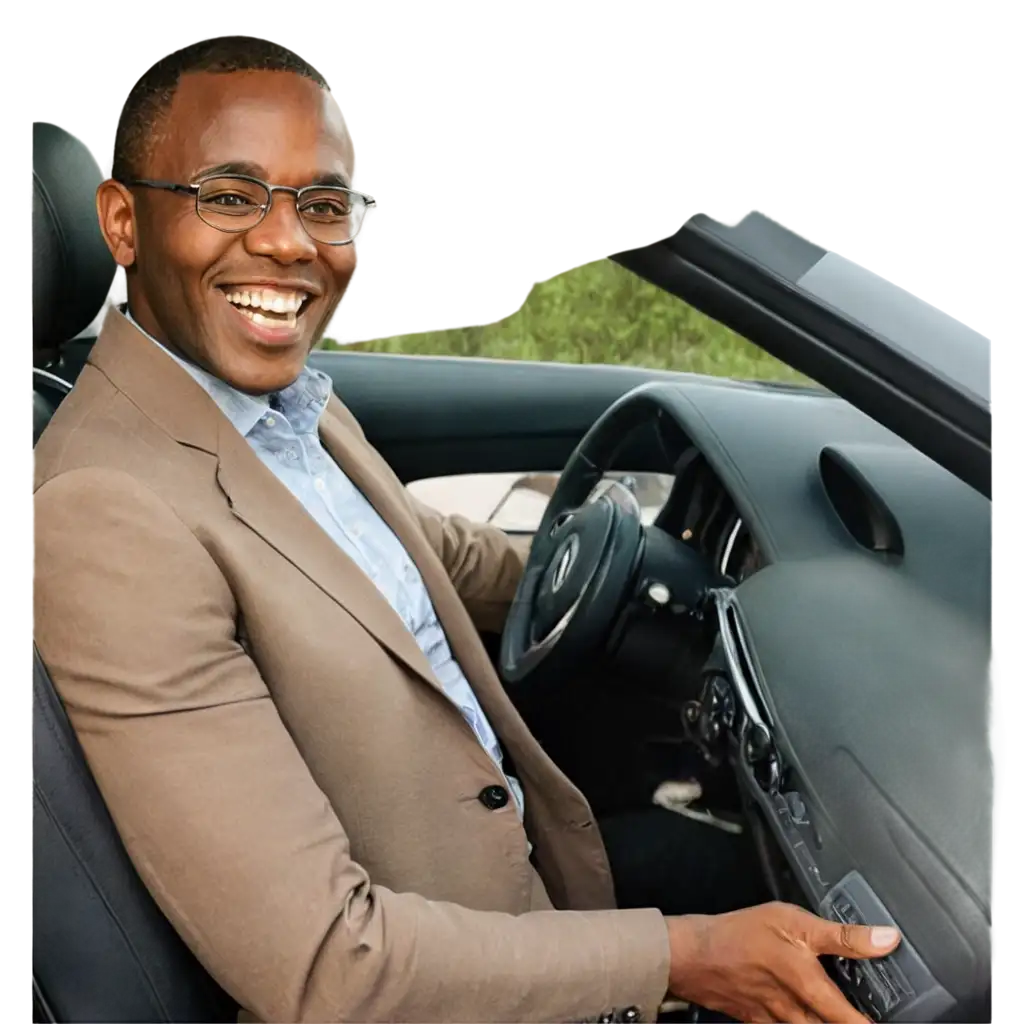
point(102, 949)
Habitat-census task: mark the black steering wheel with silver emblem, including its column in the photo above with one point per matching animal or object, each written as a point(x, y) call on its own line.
point(594, 563)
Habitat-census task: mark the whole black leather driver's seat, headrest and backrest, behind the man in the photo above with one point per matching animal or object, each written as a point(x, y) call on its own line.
point(102, 949)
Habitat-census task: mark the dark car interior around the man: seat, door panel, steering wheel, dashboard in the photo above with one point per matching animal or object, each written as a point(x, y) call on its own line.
point(819, 524)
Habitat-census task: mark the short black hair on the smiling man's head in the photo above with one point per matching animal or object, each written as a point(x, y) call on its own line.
point(147, 98)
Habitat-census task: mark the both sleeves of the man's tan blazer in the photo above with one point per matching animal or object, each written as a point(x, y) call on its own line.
point(228, 828)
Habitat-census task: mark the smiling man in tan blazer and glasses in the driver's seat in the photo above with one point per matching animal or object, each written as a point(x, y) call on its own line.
point(270, 651)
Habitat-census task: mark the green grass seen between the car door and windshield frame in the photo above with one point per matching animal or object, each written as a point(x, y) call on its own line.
point(593, 312)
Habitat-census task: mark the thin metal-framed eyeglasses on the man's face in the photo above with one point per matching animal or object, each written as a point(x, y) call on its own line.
point(234, 203)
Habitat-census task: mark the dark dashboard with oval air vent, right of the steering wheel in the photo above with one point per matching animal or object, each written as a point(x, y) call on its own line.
point(851, 685)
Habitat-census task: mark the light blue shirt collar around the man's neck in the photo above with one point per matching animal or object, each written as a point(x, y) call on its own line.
point(303, 403)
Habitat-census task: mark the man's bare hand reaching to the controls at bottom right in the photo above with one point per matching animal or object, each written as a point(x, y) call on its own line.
point(761, 965)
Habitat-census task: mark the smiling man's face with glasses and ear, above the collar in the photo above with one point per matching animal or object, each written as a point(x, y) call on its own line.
point(247, 300)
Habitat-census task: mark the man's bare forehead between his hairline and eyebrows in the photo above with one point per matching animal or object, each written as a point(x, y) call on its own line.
point(285, 124)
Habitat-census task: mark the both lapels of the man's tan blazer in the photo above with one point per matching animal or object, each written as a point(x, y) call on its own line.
point(154, 382)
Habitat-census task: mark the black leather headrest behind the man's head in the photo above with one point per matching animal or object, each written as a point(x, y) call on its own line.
point(74, 269)
